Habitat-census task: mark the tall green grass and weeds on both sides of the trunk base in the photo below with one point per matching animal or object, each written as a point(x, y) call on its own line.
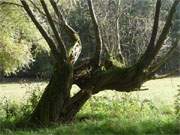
point(126, 115)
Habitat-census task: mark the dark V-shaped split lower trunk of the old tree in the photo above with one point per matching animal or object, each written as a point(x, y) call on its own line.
point(56, 105)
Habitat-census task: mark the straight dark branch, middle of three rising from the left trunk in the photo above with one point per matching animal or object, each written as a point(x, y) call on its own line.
point(55, 31)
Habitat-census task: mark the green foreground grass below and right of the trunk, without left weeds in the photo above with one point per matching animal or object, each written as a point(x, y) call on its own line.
point(103, 117)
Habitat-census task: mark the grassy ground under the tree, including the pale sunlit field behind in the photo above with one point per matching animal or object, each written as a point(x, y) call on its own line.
point(111, 113)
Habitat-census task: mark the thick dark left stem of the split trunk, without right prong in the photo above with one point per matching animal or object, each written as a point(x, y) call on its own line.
point(56, 96)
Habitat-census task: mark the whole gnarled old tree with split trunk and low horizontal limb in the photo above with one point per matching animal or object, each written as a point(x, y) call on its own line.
point(95, 74)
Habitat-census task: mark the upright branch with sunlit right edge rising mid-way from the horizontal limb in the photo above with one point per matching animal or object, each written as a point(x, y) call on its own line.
point(98, 53)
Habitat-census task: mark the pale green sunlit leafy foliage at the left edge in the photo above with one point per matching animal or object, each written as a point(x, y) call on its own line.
point(17, 35)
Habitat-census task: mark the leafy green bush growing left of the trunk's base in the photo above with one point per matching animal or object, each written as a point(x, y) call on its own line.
point(12, 111)
